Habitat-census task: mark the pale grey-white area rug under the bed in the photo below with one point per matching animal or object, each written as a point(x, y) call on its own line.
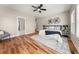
point(62, 48)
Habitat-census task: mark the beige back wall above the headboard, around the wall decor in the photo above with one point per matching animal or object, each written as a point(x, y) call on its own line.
point(65, 19)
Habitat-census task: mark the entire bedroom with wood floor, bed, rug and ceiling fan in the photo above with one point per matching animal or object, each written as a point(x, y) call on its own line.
point(27, 27)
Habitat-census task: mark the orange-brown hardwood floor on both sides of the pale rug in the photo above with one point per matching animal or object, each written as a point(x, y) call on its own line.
point(25, 45)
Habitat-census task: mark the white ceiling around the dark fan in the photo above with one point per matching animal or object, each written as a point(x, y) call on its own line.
point(51, 9)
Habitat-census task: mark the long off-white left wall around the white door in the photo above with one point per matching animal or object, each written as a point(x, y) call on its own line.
point(8, 21)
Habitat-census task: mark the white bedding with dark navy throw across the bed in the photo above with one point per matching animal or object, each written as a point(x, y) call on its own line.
point(51, 34)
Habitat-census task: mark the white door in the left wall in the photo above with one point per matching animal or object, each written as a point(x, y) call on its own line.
point(21, 26)
